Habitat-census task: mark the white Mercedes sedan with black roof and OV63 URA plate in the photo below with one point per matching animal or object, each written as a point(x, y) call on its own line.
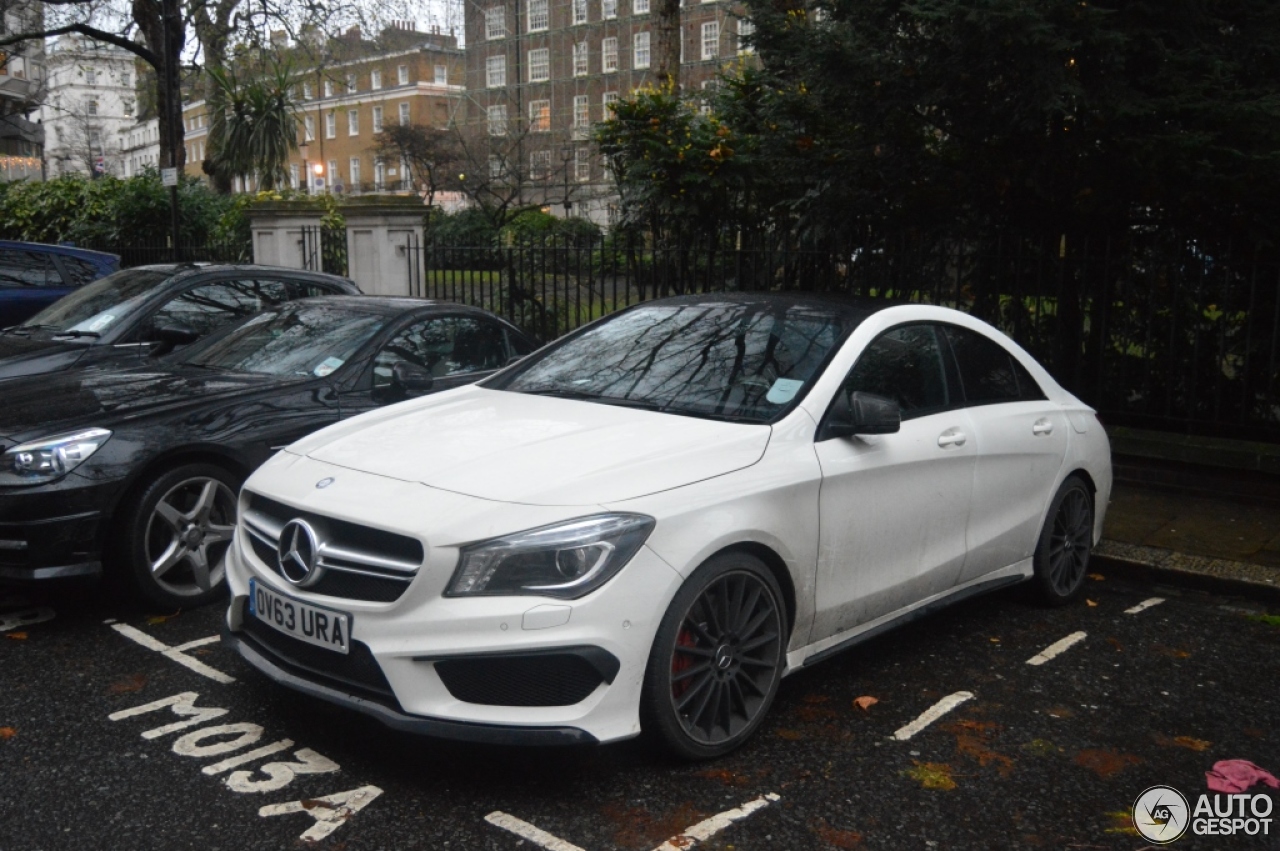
point(646, 525)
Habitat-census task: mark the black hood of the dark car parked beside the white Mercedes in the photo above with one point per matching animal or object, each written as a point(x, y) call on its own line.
point(44, 405)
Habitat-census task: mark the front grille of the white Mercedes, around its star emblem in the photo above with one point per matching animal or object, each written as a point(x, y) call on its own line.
point(360, 564)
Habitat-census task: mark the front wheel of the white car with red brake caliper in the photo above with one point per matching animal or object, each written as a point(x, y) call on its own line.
point(717, 660)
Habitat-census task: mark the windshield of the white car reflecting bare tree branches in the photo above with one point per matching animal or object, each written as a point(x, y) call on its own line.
point(742, 362)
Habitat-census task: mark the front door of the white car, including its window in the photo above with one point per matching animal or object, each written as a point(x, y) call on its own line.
point(894, 509)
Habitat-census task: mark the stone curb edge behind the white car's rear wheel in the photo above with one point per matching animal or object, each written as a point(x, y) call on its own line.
point(1218, 575)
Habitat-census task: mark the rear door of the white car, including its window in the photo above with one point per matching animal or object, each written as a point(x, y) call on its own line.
point(1021, 440)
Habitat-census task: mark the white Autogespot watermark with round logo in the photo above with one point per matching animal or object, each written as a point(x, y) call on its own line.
point(1163, 816)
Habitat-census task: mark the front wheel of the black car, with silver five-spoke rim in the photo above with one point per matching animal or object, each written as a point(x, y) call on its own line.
point(175, 536)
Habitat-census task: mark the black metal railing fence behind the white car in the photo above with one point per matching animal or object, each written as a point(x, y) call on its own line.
point(1155, 332)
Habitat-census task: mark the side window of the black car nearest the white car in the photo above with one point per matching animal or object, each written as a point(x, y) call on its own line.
point(446, 346)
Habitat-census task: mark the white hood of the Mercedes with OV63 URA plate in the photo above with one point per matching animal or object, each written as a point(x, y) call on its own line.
point(538, 451)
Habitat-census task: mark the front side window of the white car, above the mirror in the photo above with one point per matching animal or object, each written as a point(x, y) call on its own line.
point(906, 365)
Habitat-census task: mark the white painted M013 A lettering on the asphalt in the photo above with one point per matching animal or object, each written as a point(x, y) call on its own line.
point(330, 812)
